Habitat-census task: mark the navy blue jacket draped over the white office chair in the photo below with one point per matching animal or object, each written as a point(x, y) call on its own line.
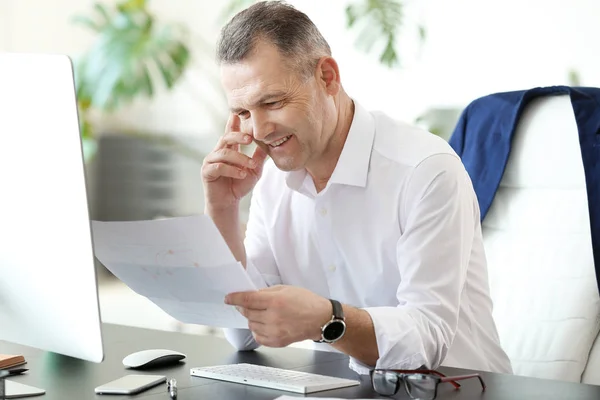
point(483, 138)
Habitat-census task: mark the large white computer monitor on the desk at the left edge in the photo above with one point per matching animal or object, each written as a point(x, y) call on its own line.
point(48, 283)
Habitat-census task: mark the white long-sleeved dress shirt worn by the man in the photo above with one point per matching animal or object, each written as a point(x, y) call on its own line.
point(395, 232)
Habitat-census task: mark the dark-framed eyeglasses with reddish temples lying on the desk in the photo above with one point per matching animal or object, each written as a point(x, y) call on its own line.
point(419, 384)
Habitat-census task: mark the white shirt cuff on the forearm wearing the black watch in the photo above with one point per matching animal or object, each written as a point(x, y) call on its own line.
point(398, 340)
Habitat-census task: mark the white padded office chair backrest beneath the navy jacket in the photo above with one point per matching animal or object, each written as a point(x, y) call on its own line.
point(539, 250)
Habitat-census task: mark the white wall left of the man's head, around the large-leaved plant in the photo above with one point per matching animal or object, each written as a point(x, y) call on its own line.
point(195, 108)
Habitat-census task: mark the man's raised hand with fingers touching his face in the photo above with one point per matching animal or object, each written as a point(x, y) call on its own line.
point(228, 174)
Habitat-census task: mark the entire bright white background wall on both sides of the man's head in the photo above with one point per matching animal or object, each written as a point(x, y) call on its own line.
point(474, 47)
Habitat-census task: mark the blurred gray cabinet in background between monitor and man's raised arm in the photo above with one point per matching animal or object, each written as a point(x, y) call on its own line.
point(139, 179)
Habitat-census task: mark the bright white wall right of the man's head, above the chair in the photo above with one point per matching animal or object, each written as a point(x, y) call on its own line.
point(473, 48)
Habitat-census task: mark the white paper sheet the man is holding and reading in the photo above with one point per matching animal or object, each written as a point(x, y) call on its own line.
point(181, 264)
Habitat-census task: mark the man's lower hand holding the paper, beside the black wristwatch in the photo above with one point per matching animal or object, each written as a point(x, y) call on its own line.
point(281, 315)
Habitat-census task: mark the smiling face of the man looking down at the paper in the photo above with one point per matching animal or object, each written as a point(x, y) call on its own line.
point(287, 115)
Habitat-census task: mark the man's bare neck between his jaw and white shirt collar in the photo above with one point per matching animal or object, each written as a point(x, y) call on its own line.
point(322, 171)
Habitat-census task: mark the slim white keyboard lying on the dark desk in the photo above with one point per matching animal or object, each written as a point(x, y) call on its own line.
point(273, 378)
